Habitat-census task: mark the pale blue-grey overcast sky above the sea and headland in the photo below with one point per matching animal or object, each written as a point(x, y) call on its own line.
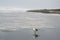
point(30, 4)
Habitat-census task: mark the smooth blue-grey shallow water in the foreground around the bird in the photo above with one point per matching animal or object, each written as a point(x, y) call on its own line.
point(27, 34)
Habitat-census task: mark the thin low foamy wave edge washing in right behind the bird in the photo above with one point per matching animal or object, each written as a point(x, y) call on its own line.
point(14, 29)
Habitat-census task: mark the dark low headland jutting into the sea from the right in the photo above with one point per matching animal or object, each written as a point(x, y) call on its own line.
point(57, 11)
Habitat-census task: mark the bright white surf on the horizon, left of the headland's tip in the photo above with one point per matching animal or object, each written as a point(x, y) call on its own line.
point(12, 9)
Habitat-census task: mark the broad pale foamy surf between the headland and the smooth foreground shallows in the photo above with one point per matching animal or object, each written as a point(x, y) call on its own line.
point(13, 22)
